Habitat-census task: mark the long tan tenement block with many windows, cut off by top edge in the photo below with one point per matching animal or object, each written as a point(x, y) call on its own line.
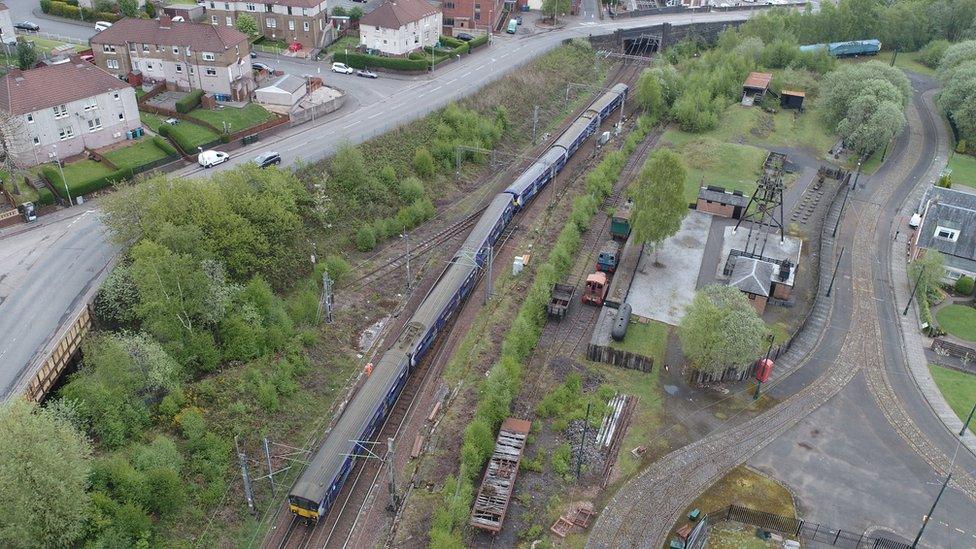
point(303, 21)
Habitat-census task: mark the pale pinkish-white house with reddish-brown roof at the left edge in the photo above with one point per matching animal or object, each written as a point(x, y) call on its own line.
point(49, 117)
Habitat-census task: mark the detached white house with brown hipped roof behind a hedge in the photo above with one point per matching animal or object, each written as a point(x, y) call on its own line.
point(398, 27)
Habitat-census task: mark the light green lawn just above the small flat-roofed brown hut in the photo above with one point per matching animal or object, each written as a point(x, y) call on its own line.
point(711, 162)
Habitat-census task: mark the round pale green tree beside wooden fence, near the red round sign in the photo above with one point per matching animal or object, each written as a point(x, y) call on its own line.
point(721, 329)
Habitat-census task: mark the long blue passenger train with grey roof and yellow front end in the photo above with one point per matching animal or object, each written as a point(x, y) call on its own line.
point(319, 485)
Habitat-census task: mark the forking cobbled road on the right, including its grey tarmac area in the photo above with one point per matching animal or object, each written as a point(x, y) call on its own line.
point(852, 437)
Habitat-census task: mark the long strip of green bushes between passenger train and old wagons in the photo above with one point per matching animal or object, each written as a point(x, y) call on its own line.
point(499, 389)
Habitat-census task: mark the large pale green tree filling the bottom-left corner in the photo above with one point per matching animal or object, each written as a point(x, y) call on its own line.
point(44, 468)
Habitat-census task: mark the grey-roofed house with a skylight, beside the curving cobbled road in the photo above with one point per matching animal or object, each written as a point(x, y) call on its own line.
point(948, 225)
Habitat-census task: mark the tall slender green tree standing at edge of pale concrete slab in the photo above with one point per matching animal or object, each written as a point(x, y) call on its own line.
point(659, 204)
